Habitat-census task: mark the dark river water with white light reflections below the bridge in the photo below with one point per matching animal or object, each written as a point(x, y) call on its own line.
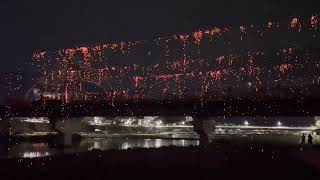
point(35, 150)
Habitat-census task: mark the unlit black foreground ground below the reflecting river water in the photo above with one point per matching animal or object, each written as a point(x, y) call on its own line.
point(217, 161)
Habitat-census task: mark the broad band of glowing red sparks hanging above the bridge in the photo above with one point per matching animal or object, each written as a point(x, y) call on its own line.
point(260, 61)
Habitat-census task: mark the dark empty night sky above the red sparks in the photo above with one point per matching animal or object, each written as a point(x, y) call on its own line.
point(27, 26)
